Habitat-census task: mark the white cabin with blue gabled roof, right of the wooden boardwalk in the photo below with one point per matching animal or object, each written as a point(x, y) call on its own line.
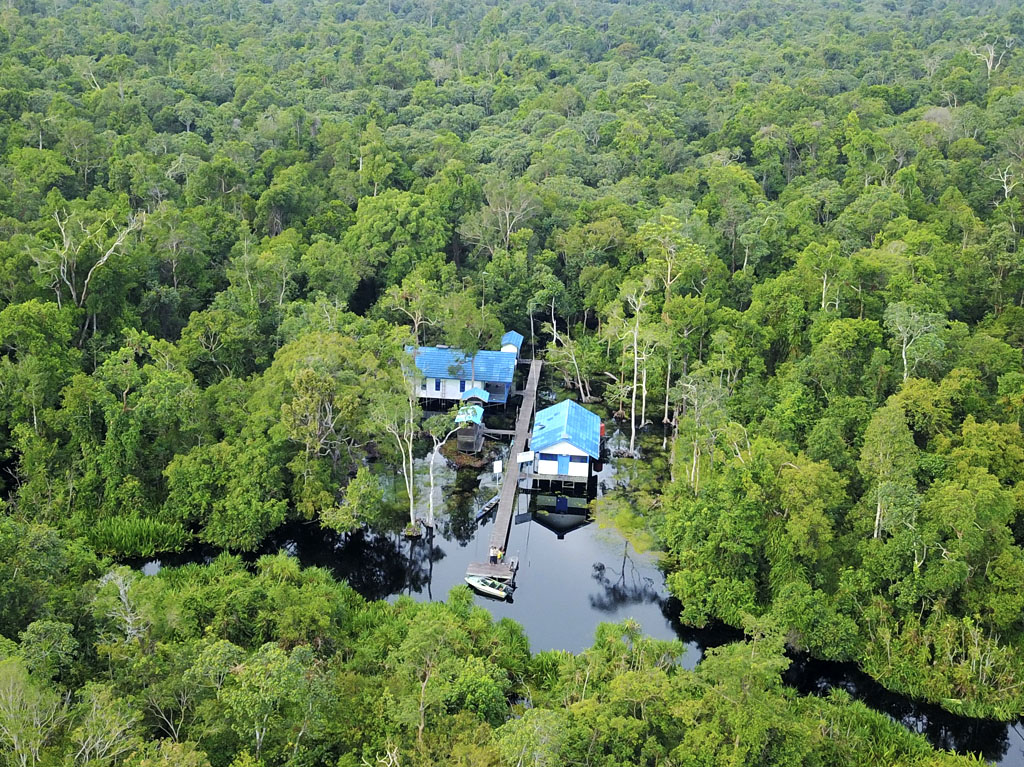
point(566, 442)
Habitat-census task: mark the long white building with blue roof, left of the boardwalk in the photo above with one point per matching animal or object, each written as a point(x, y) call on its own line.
point(448, 374)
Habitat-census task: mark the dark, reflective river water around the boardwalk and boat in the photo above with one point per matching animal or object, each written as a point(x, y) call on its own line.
point(574, 575)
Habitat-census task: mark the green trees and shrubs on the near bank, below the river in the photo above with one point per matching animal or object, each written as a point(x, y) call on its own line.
point(224, 665)
